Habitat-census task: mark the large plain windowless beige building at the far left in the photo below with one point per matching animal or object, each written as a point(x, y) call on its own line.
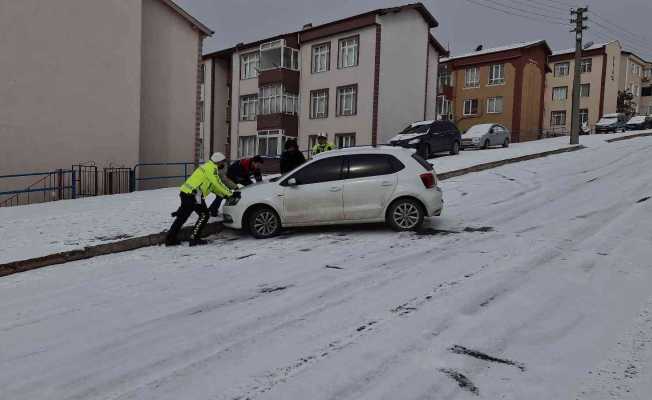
point(106, 81)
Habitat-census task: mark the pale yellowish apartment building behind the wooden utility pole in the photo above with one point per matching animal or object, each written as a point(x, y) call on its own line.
point(600, 82)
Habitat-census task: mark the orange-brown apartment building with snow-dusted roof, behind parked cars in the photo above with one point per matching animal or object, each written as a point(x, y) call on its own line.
point(503, 85)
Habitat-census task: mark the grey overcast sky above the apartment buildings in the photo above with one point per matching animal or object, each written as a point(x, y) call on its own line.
point(462, 24)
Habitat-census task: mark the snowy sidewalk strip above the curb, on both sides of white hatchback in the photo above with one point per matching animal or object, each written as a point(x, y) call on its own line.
point(42, 229)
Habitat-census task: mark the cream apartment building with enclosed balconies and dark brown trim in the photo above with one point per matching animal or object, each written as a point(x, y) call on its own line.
point(359, 80)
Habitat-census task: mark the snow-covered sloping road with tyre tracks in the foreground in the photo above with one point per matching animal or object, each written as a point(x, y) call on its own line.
point(535, 284)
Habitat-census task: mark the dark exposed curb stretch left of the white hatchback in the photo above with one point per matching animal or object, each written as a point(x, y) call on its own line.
point(136, 243)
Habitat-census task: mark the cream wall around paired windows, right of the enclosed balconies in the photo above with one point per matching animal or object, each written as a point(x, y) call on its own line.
point(362, 75)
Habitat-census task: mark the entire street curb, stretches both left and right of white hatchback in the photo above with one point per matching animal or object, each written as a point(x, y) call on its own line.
point(155, 239)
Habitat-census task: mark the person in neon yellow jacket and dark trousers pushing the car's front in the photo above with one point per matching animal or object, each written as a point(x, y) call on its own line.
point(204, 180)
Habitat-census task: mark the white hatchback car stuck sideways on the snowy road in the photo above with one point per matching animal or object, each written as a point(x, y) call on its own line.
point(355, 185)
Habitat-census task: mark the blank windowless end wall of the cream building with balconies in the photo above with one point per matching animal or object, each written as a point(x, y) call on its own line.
point(403, 61)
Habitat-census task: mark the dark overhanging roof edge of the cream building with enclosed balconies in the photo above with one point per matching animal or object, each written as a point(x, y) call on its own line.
point(419, 7)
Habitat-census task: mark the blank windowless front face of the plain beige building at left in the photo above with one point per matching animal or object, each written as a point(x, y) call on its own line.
point(69, 83)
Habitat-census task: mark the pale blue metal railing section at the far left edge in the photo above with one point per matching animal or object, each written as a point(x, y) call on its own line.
point(49, 186)
